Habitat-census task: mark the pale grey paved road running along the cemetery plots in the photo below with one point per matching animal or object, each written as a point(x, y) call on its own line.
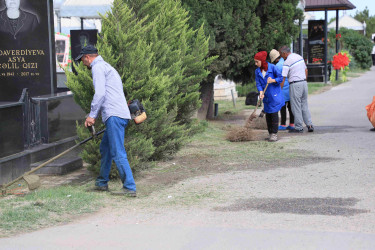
point(329, 204)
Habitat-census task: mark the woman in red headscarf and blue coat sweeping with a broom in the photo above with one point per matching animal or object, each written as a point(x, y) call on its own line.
point(273, 100)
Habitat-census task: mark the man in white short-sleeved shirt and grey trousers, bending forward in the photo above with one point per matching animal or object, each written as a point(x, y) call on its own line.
point(295, 70)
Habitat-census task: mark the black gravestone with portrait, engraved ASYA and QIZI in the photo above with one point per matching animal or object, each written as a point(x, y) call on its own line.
point(27, 53)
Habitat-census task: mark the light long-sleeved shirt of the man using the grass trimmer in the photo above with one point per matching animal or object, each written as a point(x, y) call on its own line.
point(109, 96)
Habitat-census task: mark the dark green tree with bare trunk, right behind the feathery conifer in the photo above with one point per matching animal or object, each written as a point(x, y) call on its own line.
point(233, 29)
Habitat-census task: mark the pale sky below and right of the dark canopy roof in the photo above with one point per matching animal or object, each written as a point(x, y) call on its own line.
point(359, 4)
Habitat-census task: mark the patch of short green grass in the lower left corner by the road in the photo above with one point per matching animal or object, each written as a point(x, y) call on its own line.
point(45, 207)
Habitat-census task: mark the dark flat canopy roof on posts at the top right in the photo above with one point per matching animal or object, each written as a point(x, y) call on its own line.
point(316, 5)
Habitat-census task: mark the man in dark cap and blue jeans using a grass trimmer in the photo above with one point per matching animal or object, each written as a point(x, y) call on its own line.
point(109, 99)
